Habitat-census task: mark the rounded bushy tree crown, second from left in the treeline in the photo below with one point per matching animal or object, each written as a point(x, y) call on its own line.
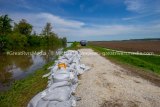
point(23, 27)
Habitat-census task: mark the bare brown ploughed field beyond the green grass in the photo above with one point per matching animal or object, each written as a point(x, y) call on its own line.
point(131, 45)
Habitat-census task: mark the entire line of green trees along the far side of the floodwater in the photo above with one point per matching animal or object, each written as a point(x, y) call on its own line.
point(21, 35)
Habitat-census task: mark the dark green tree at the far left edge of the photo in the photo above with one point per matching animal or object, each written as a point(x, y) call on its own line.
point(5, 25)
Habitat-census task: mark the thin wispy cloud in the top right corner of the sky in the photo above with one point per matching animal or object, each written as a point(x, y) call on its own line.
point(144, 8)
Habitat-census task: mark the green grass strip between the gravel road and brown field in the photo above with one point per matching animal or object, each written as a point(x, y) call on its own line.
point(148, 63)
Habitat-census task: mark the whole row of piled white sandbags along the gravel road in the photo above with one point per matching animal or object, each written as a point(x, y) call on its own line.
point(62, 82)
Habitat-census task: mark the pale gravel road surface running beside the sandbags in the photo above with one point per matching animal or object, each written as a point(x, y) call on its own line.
point(109, 85)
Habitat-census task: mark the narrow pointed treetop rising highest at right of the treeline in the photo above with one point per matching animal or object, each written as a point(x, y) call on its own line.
point(47, 29)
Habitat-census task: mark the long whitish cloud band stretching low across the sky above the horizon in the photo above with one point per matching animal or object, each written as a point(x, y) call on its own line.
point(75, 30)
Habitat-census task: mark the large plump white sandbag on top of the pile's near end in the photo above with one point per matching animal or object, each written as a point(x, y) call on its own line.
point(58, 94)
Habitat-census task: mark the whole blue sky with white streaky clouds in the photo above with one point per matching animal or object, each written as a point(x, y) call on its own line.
point(89, 19)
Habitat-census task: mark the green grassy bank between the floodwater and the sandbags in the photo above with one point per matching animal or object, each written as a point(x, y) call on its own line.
point(23, 90)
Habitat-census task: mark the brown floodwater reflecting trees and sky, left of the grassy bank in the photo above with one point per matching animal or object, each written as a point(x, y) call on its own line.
point(15, 65)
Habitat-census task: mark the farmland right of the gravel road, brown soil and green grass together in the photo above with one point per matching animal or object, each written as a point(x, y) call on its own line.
point(147, 62)
